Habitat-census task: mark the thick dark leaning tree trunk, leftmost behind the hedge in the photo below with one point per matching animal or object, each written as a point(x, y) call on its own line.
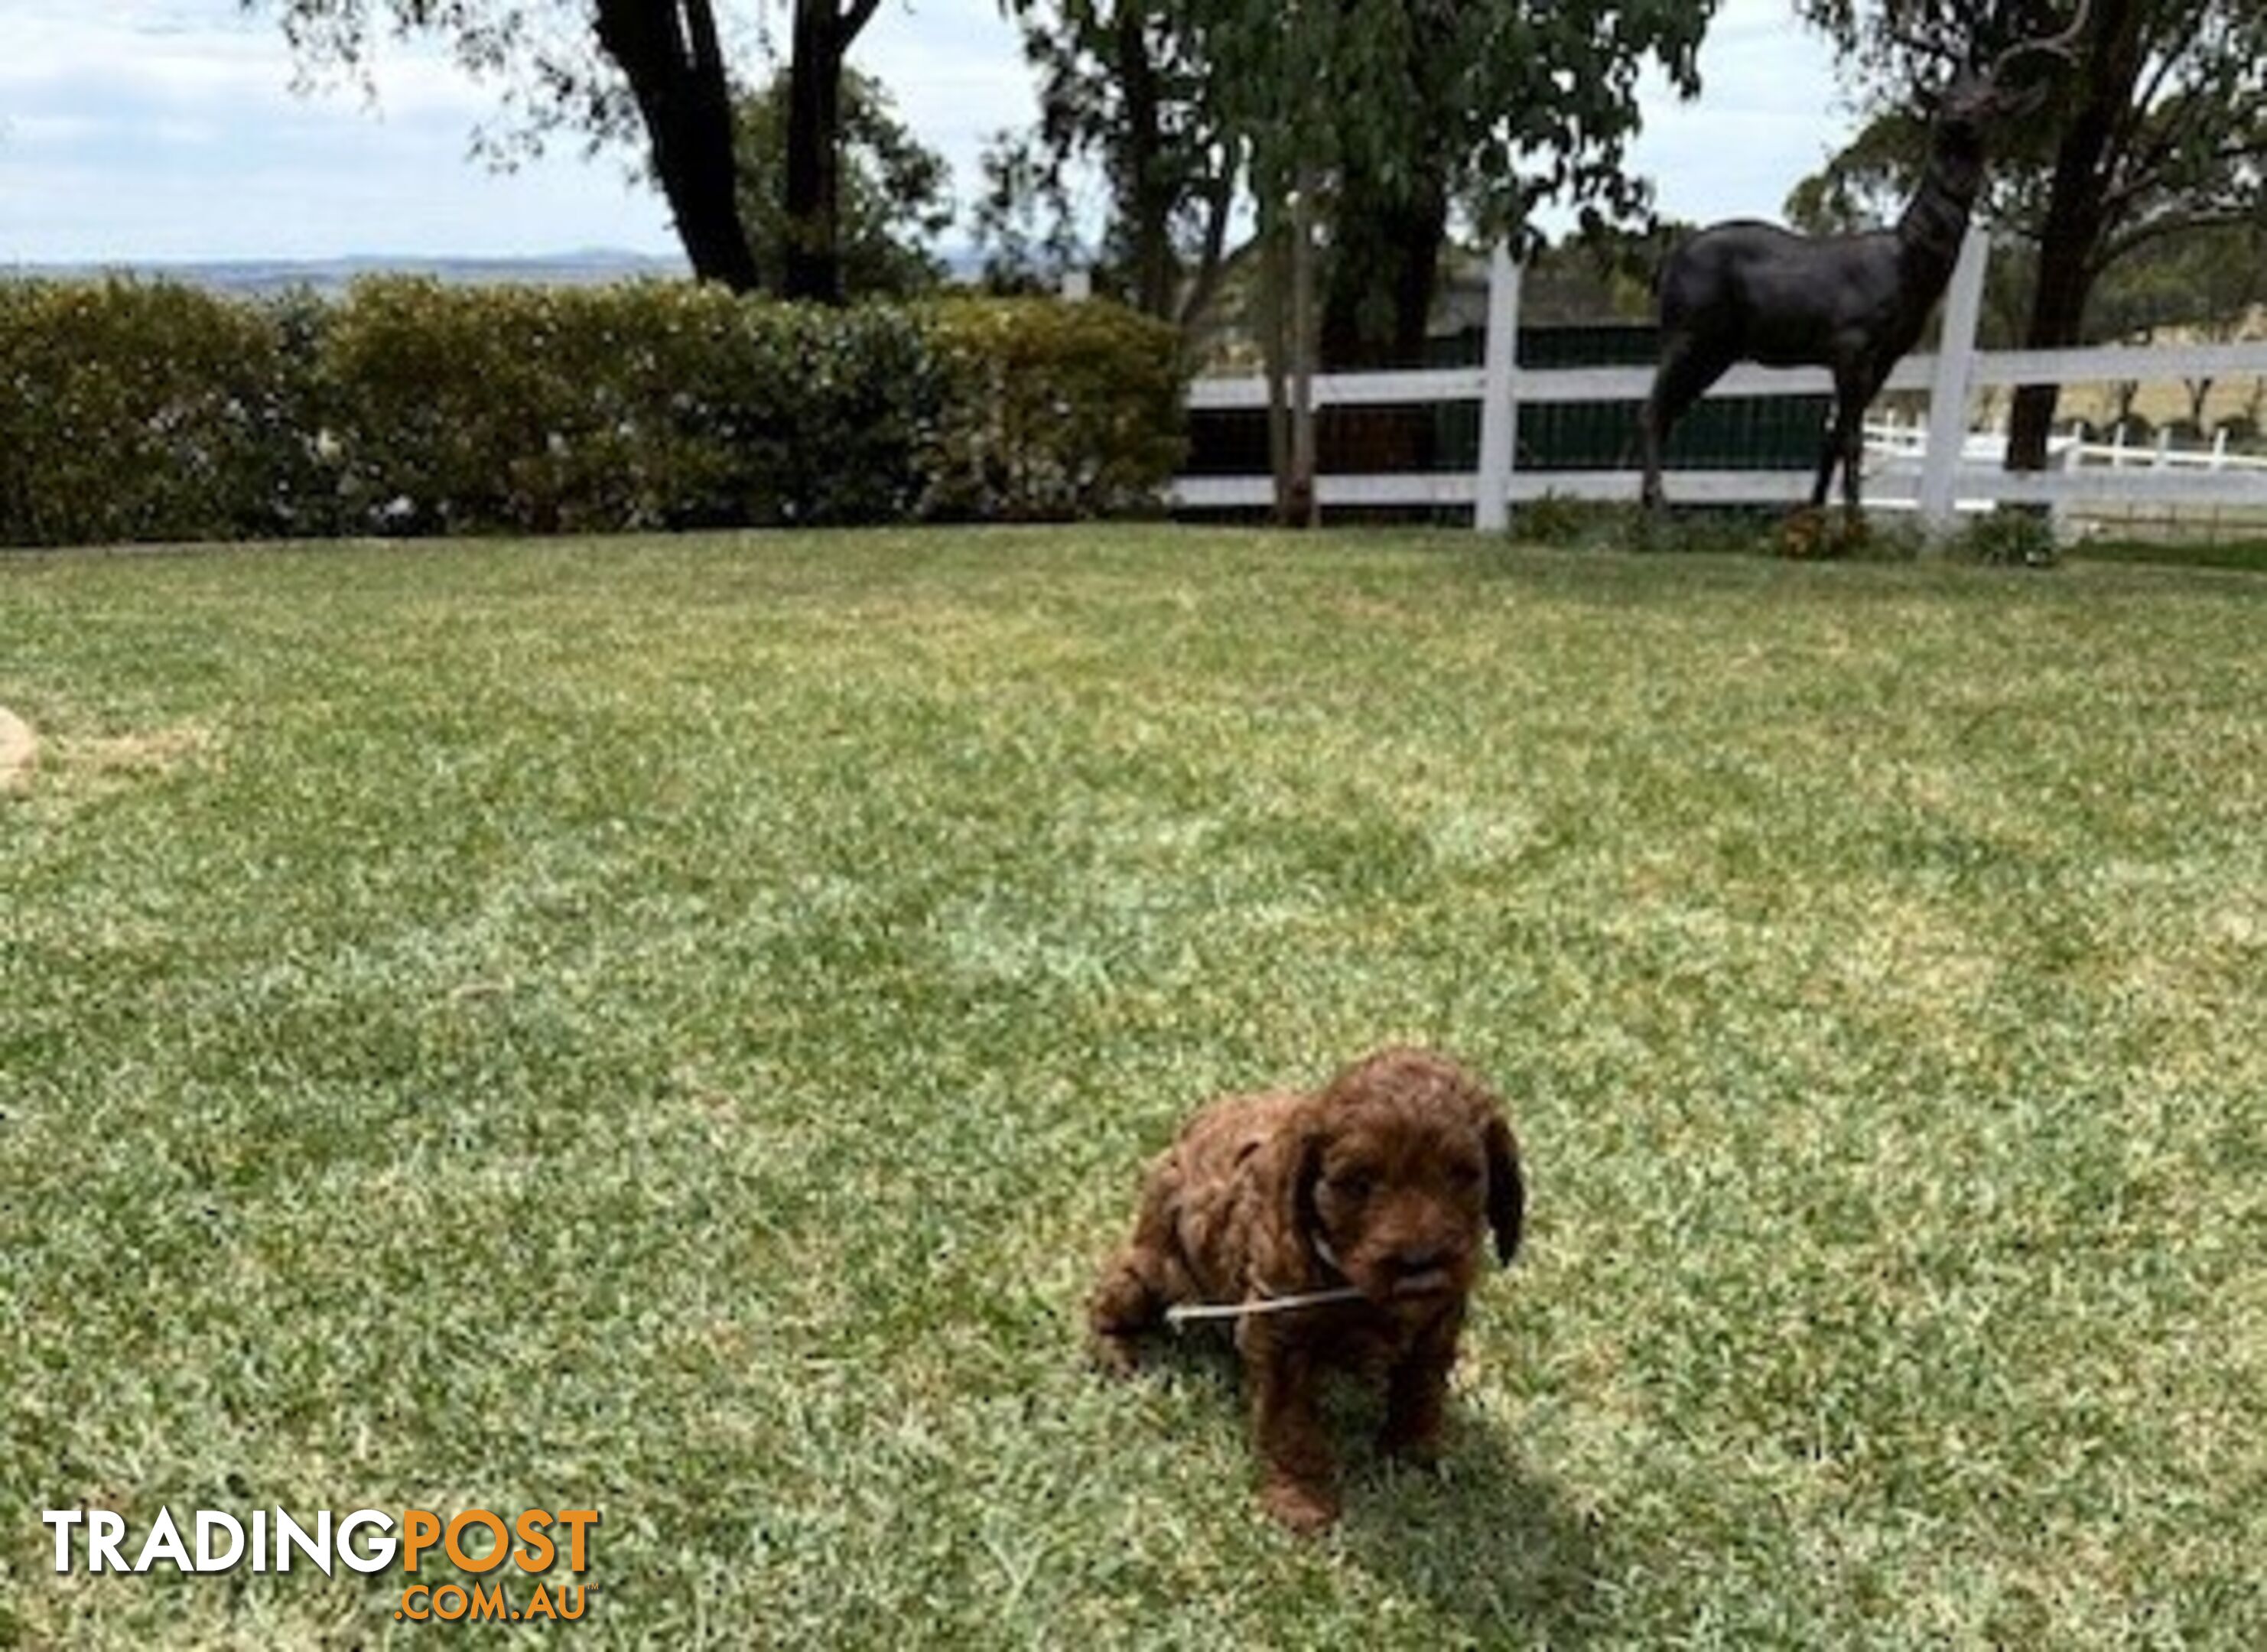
point(670, 56)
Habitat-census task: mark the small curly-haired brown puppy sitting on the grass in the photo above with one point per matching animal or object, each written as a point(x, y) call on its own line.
point(1386, 1182)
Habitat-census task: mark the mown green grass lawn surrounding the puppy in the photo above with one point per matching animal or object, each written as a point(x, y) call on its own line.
point(672, 1025)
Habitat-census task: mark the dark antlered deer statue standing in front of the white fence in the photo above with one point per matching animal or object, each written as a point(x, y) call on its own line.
point(1751, 291)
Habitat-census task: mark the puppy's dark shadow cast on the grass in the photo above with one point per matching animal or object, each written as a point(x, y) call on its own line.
point(1484, 1540)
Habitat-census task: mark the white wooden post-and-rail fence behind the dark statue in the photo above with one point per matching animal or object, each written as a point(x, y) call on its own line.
point(1939, 477)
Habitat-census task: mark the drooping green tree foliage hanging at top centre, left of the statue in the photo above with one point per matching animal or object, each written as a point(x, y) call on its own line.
point(1395, 112)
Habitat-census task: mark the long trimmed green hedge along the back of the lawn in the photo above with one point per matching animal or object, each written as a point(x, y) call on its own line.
point(158, 411)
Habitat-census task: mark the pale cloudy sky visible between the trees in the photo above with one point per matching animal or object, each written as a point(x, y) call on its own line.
point(167, 130)
